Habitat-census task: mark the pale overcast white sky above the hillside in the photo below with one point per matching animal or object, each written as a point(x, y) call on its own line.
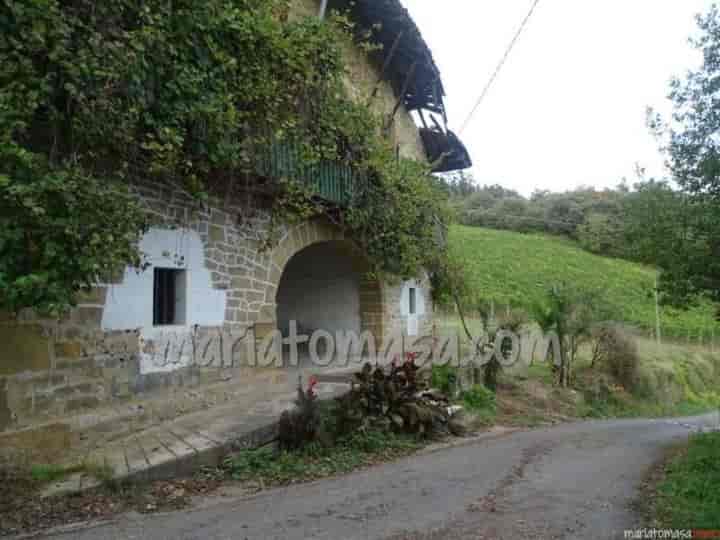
point(569, 106)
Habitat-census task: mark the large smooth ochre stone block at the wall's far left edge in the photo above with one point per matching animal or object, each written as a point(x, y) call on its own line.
point(23, 348)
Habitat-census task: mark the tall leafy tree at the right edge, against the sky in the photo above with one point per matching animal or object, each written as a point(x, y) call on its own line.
point(692, 143)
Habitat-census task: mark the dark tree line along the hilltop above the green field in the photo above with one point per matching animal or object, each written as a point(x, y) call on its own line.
point(625, 222)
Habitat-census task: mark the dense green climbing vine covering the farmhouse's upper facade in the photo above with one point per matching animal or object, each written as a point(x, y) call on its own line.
point(96, 95)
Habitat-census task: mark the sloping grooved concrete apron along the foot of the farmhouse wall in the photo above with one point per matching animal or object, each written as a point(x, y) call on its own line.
point(181, 446)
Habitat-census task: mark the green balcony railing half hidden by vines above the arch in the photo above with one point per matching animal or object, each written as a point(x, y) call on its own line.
point(332, 181)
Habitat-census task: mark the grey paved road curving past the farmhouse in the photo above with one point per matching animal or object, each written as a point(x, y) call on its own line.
point(570, 481)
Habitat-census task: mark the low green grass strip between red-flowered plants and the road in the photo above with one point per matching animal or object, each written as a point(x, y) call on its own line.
point(271, 468)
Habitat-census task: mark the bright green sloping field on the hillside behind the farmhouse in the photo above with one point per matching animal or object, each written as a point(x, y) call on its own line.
point(517, 269)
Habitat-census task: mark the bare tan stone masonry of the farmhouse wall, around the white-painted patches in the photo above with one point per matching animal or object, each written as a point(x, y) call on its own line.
point(52, 370)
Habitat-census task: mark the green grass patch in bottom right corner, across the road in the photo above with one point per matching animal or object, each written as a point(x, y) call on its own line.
point(689, 496)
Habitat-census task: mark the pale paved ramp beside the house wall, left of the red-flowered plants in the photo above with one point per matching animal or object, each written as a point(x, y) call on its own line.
point(162, 448)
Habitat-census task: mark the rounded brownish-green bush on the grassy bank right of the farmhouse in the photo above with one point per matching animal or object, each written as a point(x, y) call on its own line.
point(617, 352)
